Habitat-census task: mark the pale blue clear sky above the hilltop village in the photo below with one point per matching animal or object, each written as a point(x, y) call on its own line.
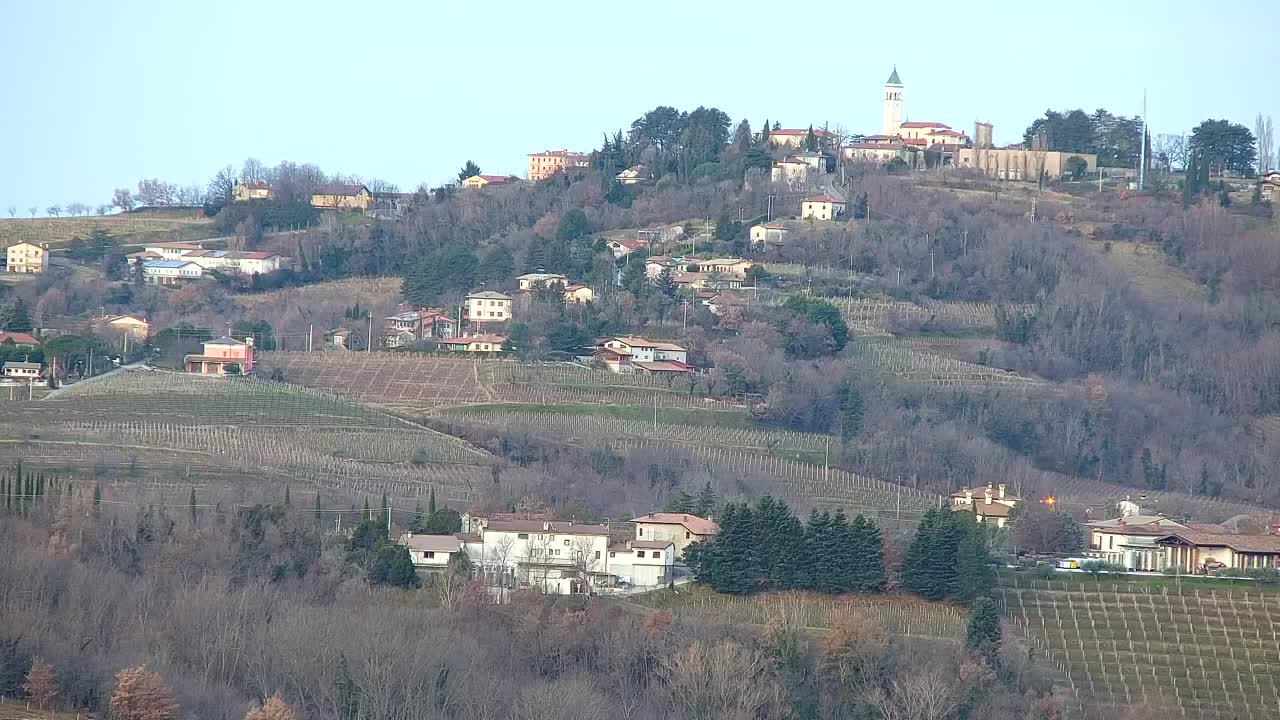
point(98, 95)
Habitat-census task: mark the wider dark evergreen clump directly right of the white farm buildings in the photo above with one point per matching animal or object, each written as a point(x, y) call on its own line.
point(765, 546)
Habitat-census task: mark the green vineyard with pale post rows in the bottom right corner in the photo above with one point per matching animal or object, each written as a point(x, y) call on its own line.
point(1204, 654)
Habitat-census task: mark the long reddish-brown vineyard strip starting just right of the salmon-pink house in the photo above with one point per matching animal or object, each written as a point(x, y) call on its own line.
point(420, 382)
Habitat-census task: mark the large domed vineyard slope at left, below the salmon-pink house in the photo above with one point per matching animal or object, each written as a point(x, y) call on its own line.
point(167, 425)
